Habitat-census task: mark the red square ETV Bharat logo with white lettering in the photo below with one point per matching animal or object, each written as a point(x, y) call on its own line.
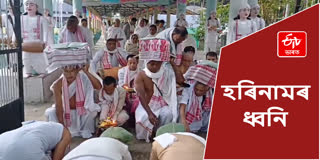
point(292, 44)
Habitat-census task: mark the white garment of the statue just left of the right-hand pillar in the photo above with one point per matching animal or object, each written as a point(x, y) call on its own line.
point(212, 36)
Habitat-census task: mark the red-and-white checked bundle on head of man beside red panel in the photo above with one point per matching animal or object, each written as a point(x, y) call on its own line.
point(203, 74)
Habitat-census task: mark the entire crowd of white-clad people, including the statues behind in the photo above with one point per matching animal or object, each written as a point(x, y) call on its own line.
point(145, 73)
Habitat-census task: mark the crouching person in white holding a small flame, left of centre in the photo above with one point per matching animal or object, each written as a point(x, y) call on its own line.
point(112, 100)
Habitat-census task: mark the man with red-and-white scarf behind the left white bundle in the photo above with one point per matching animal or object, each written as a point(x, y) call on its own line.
point(109, 57)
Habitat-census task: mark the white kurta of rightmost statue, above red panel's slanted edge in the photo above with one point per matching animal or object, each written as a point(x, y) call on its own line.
point(241, 29)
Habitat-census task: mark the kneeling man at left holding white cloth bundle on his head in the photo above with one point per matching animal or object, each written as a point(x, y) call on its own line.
point(74, 101)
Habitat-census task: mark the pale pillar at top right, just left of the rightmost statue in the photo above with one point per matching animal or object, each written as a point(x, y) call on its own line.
point(233, 12)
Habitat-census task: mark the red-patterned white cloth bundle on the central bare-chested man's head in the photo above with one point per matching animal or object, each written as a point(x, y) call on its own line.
point(154, 49)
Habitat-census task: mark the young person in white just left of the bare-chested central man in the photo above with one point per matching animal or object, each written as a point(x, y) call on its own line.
point(126, 77)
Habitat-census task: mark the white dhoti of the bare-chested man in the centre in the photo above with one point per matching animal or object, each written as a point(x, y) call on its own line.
point(144, 127)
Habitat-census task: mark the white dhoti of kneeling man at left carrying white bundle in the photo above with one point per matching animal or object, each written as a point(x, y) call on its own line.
point(82, 126)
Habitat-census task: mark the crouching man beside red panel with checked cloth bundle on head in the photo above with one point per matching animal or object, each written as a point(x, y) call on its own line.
point(195, 104)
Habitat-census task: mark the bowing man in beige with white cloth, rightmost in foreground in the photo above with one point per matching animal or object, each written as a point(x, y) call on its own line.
point(180, 145)
